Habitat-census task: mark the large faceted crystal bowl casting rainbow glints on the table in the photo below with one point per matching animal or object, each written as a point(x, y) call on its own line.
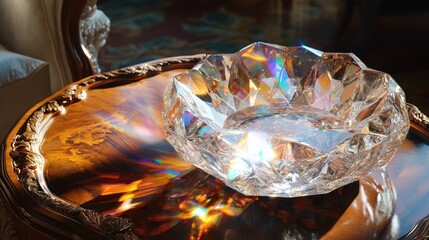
point(283, 121)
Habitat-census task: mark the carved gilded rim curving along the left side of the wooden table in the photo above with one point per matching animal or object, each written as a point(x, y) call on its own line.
point(28, 163)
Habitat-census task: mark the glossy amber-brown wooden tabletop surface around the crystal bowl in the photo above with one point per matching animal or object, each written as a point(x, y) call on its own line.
point(107, 152)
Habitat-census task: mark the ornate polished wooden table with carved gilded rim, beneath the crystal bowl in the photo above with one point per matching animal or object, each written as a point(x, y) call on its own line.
point(92, 162)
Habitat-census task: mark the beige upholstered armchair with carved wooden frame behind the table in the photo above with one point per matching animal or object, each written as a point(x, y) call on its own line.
point(45, 45)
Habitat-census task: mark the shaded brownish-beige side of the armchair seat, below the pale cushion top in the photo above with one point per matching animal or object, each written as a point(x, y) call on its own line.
point(17, 97)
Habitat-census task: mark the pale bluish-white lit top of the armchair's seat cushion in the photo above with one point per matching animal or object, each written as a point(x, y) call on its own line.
point(15, 66)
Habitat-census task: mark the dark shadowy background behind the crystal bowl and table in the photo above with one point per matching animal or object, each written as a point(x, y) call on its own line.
point(387, 35)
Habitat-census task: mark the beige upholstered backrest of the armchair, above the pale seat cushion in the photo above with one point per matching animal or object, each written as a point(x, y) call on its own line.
point(33, 28)
